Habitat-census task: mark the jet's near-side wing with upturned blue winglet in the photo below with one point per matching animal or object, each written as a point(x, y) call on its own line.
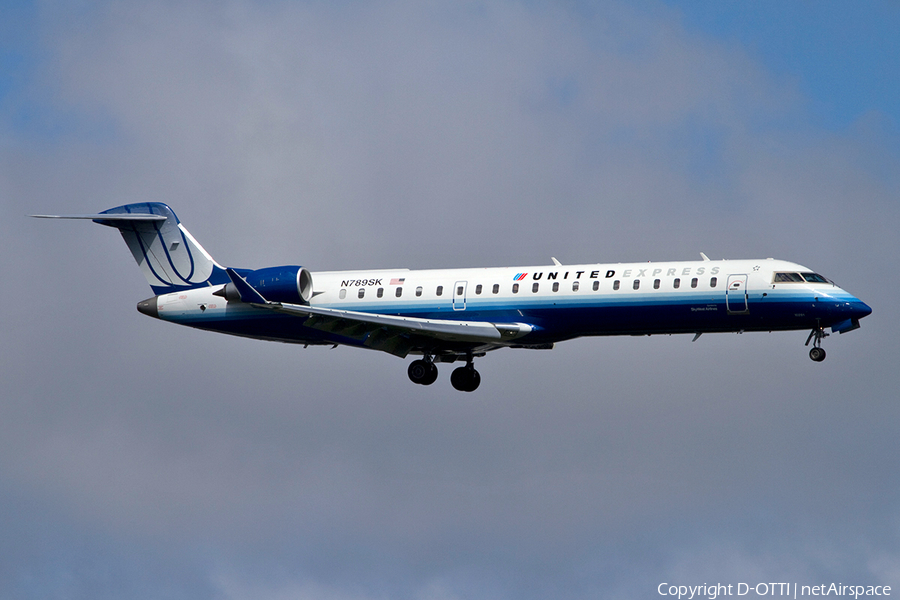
point(390, 333)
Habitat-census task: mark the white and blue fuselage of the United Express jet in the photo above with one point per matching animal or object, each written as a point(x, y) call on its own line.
point(559, 302)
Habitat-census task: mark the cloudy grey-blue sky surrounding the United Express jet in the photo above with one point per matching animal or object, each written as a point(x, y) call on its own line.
point(143, 460)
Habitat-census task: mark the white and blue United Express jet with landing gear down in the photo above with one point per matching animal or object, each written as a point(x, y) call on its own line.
point(451, 315)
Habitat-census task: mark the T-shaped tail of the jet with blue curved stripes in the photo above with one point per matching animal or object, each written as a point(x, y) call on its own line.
point(168, 255)
